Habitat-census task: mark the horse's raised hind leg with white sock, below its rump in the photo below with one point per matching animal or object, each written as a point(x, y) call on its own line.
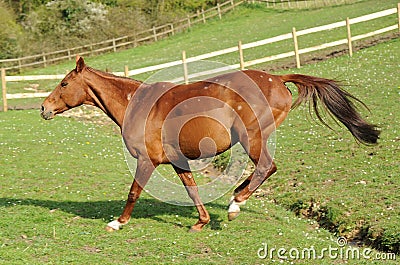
point(265, 167)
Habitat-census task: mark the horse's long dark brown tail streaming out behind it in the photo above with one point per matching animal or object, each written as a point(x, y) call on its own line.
point(337, 101)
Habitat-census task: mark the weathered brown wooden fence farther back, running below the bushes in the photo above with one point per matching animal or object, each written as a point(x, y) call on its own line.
point(115, 44)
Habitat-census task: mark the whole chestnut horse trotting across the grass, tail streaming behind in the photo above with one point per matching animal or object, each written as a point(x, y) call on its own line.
point(164, 123)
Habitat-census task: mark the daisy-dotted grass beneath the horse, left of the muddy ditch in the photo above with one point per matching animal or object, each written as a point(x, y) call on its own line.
point(63, 180)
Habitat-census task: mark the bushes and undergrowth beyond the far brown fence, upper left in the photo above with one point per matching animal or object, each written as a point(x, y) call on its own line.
point(31, 27)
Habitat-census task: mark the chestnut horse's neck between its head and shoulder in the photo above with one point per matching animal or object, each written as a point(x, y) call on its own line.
point(112, 95)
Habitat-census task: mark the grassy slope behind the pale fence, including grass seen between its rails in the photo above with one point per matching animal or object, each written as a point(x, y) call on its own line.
point(215, 35)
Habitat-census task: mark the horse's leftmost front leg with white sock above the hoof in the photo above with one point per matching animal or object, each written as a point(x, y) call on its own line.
point(143, 172)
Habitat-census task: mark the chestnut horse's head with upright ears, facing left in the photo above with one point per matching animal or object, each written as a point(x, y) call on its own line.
point(71, 92)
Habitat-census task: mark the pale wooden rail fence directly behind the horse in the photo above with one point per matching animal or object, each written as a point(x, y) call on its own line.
point(239, 49)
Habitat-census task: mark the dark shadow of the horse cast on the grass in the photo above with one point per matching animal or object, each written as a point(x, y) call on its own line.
point(145, 208)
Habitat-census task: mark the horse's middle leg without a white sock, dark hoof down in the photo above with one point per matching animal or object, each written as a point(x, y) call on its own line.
point(191, 187)
